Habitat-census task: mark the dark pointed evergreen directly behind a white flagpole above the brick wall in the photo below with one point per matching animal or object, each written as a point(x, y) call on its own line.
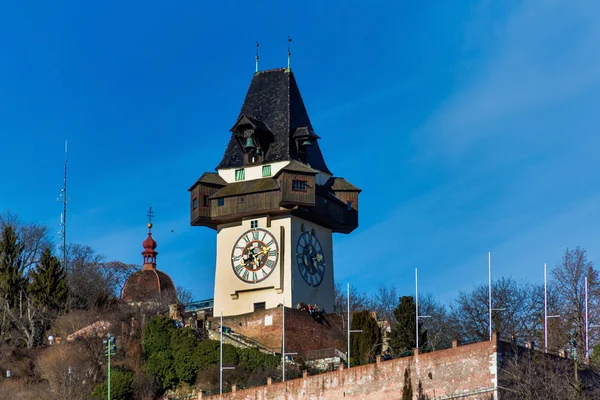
point(402, 336)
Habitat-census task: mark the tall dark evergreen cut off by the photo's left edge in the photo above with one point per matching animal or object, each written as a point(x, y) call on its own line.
point(12, 267)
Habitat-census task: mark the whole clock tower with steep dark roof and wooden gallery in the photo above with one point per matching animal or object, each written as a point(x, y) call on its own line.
point(274, 204)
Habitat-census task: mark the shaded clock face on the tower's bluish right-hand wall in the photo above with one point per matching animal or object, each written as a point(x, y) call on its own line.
point(310, 259)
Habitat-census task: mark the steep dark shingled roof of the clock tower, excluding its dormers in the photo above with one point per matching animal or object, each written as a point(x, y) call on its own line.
point(274, 100)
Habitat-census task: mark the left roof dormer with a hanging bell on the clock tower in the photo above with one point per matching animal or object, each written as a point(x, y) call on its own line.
point(253, 137)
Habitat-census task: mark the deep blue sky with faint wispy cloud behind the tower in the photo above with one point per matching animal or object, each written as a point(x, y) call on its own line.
point(470, 126)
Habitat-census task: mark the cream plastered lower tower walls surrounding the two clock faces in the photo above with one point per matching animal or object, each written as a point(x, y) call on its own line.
point(234, 296)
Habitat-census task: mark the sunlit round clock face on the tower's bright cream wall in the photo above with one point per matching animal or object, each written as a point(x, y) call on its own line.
point(254, 255)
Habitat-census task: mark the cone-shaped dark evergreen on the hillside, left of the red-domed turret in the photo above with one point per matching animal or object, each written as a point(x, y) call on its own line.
point(49, 282)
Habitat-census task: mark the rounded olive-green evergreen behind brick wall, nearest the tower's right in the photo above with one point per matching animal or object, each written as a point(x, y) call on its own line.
point(363, 346)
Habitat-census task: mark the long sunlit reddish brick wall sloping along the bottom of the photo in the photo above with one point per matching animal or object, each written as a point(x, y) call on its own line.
point(466, 372)
